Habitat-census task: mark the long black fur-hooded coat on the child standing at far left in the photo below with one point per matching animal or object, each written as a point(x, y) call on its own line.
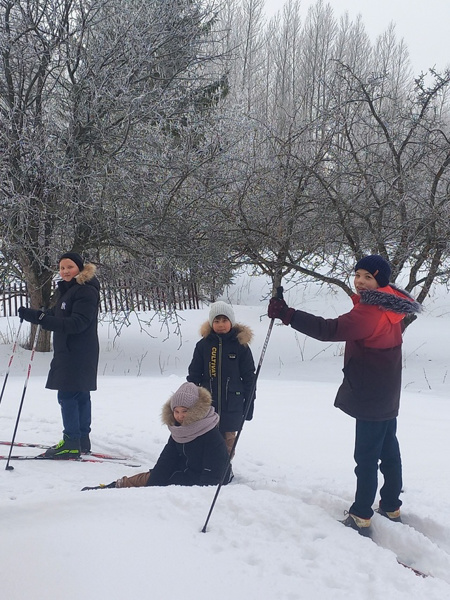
point(73, 321)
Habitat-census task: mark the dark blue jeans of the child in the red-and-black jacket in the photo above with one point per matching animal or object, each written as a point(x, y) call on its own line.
point(377, 441)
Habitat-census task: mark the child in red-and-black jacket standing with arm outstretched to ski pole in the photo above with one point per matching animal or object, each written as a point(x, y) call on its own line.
point(370, 391)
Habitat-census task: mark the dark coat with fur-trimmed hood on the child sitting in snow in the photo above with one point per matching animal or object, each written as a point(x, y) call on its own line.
point(201, 461)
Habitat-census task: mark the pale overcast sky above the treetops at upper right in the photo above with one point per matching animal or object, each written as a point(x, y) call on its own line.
point(424, 25)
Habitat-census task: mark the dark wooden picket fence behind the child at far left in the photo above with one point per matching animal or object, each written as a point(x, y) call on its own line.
point(117, 298)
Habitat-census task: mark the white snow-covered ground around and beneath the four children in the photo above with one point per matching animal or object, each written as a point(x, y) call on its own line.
point(273, 534)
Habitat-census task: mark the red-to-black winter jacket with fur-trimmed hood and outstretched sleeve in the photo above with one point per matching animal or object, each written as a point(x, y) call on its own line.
point(372, 331)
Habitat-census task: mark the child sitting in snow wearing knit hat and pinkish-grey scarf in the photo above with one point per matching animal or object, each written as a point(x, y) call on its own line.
point(195, 454)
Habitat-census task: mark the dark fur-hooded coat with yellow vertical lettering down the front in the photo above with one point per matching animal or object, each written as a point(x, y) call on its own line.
point(224, 365)
